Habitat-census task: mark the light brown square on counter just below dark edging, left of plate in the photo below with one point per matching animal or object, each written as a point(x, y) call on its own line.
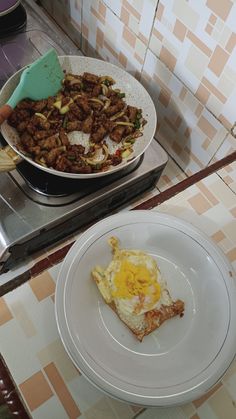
point(42, 286)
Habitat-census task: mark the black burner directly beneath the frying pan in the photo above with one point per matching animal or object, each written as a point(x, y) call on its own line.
point(50, 185)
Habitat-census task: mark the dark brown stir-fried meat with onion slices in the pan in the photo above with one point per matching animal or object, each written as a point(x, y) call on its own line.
point(87, 103)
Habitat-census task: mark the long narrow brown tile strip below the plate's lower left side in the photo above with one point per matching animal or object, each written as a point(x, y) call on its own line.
point(62, 391)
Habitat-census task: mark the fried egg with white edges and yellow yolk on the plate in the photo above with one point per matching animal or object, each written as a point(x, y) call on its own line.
point(132, 281)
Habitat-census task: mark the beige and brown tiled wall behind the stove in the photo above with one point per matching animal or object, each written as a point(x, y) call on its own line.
point(182, 51)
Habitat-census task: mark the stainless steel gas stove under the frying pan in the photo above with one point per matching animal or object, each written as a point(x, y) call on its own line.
point(38, 209)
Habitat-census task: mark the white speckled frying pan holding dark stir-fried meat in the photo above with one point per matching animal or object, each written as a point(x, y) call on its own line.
point(136, 95)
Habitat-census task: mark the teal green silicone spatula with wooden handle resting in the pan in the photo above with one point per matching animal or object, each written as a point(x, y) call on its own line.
point(39, 80)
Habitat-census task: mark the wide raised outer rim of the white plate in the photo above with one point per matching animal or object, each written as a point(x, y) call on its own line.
point(144, 400)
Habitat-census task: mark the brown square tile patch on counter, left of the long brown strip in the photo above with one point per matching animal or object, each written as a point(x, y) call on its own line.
point(36, 390)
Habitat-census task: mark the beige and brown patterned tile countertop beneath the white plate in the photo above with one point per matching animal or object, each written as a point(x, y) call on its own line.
point(28, 322)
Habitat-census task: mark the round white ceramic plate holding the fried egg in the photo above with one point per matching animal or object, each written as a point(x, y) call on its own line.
point(186, 356)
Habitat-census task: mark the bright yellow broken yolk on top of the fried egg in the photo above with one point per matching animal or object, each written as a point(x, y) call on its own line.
point(135, 280)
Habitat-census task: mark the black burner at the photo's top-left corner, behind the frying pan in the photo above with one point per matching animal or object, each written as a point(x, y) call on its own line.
point(13, 22)
